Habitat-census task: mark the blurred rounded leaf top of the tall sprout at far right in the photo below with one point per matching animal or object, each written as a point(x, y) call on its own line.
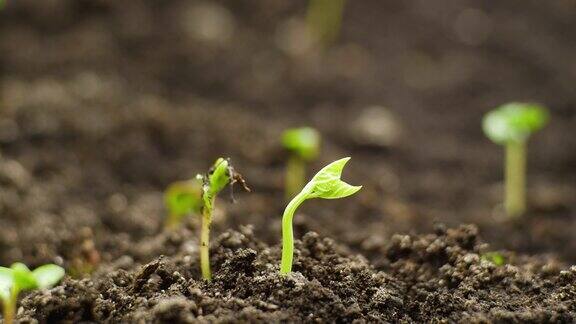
point(514, 122)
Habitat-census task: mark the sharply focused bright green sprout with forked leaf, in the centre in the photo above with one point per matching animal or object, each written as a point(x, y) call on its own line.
point(326, 184)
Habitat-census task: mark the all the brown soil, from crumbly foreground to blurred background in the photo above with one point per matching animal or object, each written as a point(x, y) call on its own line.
point(104, 103)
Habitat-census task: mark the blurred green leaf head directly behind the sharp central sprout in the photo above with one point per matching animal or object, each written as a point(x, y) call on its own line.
point(304, 142)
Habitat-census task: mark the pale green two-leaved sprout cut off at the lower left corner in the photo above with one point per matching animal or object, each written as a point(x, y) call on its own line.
point(18, 277)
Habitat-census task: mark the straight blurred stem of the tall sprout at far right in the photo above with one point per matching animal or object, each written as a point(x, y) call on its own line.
point(515, 179)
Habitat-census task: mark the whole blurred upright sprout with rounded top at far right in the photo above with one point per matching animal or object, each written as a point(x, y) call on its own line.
point(511, 125)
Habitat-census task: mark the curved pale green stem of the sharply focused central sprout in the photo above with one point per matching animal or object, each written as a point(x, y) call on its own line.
point(287, 232)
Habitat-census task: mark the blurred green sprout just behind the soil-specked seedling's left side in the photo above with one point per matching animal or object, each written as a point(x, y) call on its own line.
point(183, 198)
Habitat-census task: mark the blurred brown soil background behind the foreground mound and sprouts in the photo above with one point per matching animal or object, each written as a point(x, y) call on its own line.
point(104, 103)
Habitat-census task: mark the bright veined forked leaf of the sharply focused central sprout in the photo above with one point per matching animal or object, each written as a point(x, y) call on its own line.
point(326, 183)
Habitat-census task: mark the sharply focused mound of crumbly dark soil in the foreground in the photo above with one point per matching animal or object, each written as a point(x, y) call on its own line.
point(426, 278)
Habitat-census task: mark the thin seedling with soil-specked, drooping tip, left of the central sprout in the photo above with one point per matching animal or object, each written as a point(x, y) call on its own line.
point(219, 176)
